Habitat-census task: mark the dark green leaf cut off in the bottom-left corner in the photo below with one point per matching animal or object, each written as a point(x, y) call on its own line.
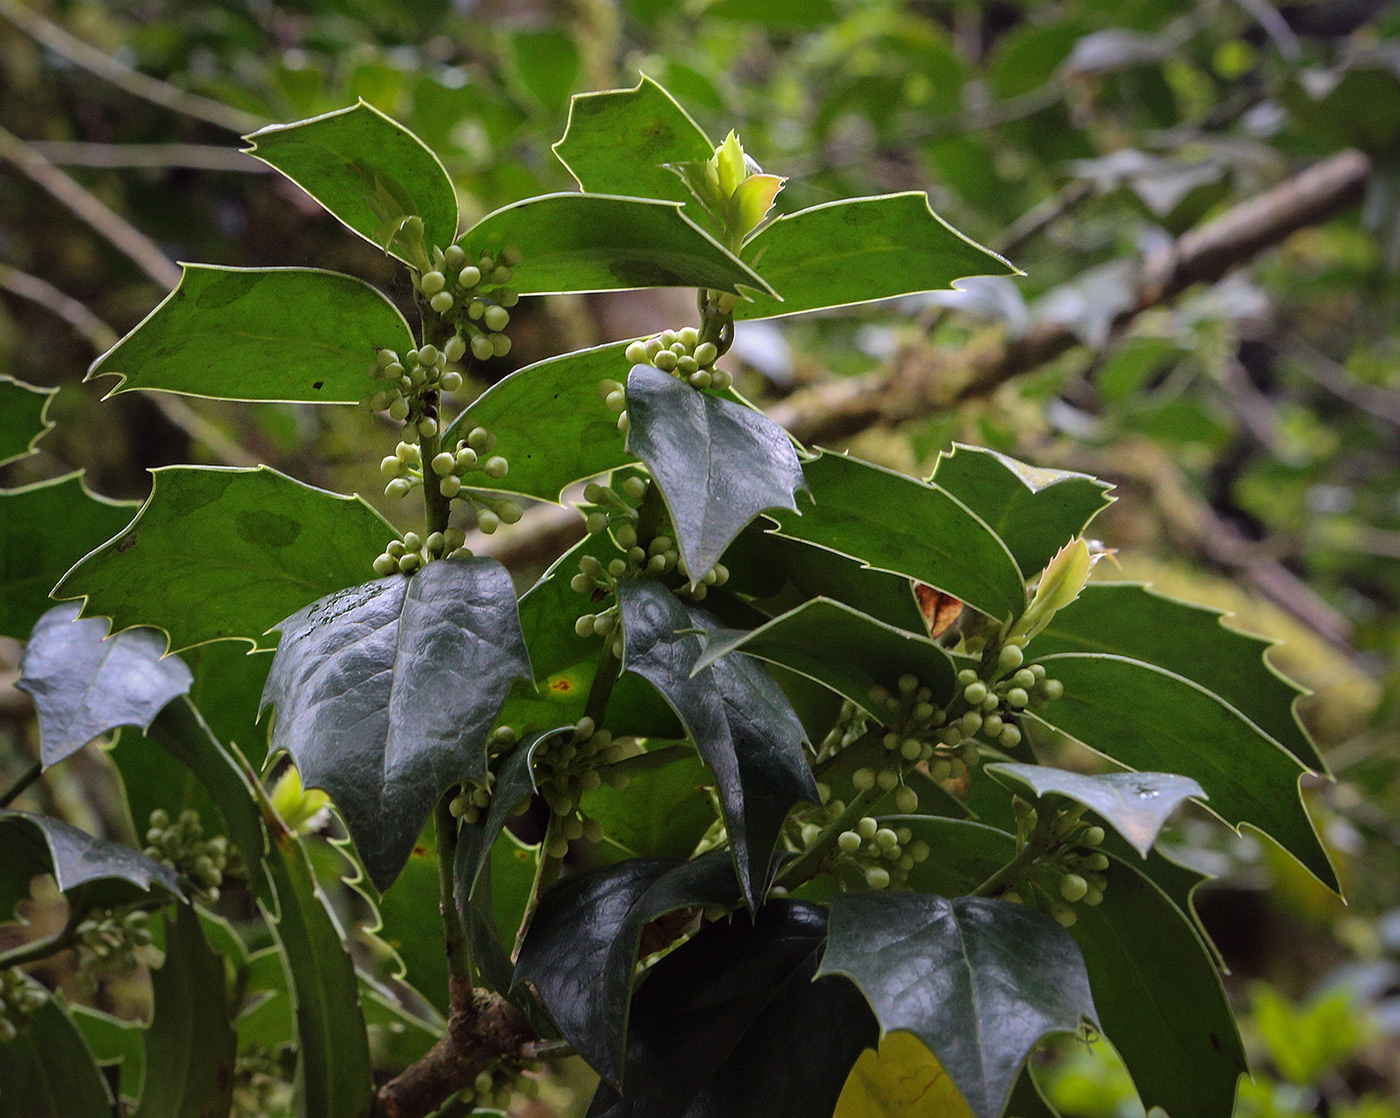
point(48, 1071)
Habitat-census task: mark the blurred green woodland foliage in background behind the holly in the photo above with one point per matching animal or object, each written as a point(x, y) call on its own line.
point(1252, 427)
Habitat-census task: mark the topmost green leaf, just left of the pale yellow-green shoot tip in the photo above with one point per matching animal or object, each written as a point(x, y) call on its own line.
point(619, 142)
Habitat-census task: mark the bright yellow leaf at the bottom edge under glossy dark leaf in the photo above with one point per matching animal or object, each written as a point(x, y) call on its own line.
point(904, 1081)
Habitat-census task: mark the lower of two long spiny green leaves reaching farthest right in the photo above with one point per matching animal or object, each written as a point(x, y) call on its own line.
point(1150, 720)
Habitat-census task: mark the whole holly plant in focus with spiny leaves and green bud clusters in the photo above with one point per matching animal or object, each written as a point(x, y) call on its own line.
point(765, 791)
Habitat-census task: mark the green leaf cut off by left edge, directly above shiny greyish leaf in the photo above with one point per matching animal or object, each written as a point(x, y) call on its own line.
point(45, 528)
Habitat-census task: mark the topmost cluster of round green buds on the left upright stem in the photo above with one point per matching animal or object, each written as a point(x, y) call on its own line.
point(474, 295)
